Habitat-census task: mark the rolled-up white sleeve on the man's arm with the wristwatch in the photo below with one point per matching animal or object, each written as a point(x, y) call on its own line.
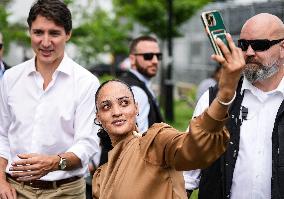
point(86, 141)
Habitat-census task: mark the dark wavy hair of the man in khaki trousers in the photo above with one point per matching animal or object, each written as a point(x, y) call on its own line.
point(54, 10)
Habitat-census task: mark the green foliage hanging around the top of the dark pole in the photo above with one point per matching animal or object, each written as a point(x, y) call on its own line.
point(154, 16)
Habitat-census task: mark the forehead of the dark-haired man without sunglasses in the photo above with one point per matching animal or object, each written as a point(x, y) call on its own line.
point(43, 23)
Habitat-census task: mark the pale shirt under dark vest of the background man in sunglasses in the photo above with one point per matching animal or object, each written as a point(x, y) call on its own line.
point(142, 99)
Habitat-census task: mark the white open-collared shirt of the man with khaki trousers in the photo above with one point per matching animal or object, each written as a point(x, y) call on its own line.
point(56, 120)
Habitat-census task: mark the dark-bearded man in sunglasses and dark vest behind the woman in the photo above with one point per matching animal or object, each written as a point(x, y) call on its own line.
point(145, 56)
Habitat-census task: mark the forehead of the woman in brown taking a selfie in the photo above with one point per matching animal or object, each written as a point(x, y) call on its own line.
point(113, 90)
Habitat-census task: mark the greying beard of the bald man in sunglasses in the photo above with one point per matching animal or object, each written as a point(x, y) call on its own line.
point(255, 71)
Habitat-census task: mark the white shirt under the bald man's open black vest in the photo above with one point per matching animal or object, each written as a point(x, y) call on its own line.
point(253, 169)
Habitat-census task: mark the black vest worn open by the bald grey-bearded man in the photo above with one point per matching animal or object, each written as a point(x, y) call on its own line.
point(216, 181)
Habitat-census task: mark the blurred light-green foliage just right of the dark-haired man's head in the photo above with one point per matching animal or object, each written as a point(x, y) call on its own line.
point(100, 33)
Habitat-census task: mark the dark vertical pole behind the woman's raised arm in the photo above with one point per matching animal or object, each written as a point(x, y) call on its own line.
point(169, 108)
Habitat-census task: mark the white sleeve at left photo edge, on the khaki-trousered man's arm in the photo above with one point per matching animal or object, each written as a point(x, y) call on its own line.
point(4, 120)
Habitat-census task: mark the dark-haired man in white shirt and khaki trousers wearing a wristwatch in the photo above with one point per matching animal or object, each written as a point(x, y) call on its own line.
point(47, 111)
